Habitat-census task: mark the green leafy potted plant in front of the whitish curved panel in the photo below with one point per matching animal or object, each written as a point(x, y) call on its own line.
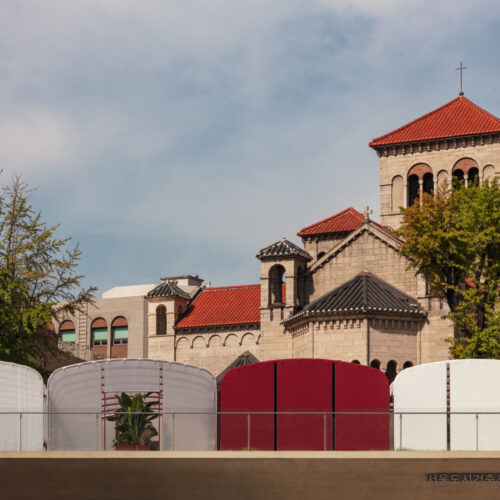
point(133, 419)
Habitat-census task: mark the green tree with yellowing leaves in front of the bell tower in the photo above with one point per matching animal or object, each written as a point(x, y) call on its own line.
point(453, 240)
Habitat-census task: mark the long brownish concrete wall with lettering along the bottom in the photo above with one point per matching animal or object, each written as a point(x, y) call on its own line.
point(246, 475)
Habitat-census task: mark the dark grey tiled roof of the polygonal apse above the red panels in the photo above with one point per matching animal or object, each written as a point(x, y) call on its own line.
point(365, 293)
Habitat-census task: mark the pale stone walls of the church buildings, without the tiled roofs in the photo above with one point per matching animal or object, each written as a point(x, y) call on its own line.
point(381, 338)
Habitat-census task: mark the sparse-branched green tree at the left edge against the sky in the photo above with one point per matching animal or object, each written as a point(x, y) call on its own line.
point(38, 279)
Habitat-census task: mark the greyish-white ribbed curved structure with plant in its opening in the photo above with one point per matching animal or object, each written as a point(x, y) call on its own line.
point(188, 421)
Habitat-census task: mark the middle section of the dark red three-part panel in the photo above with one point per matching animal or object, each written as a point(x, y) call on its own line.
point(304, 385)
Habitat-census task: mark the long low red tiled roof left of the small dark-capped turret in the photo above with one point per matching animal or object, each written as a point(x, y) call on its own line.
point(227, 305)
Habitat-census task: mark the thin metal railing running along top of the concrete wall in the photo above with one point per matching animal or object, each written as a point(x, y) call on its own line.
point(243, 430)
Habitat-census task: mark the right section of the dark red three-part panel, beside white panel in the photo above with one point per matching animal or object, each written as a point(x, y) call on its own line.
point(361, 388)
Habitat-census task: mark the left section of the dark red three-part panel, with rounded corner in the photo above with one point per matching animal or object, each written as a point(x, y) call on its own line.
point(244, 389)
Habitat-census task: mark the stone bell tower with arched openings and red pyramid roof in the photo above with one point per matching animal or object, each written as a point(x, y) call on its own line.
point(458, 140)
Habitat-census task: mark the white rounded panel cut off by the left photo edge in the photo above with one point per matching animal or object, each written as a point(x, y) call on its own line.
point(21, 408)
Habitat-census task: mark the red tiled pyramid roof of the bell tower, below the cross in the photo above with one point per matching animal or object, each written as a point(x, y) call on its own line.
point(459, 117)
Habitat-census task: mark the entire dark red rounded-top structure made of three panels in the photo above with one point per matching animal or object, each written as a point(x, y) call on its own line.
point(305, 385)
